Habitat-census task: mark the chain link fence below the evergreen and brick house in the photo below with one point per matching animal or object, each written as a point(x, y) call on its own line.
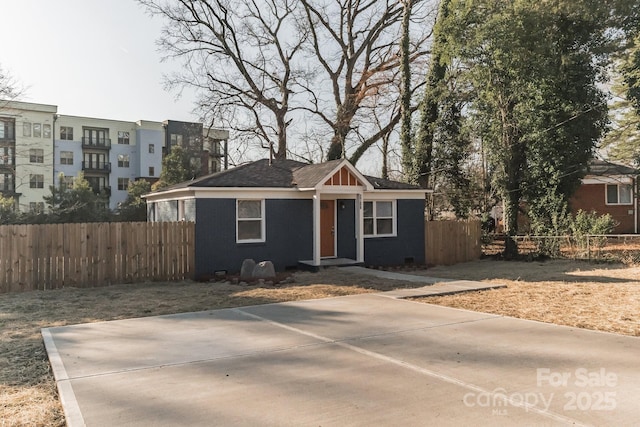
point(610, 247)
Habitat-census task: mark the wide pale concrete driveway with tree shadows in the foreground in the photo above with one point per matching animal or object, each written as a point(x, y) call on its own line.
point(356, 360)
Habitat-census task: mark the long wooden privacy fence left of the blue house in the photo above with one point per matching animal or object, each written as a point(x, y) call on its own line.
point(52, 256)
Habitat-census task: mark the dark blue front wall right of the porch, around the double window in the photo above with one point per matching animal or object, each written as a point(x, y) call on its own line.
point(409, 243)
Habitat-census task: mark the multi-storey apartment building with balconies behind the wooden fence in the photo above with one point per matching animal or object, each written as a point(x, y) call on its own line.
point(39, 147)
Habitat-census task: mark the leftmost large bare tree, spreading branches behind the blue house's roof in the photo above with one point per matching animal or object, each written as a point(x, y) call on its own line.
point(239, 55)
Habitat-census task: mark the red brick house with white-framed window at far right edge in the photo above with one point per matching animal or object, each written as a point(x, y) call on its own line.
point(610, 188)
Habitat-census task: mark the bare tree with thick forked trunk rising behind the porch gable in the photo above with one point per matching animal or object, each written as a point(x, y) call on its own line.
point(356, 44)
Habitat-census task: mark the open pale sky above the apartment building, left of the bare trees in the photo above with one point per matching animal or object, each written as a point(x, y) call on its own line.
point(94, 58)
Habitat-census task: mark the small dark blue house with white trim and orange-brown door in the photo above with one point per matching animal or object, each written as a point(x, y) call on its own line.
point(294, 213)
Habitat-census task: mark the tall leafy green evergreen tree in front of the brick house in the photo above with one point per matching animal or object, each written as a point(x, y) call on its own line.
point(532, 70)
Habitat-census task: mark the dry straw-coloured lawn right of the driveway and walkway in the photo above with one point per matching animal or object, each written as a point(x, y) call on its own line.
point(603, 297)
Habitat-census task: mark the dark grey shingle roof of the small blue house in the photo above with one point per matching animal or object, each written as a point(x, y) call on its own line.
point(280, 174)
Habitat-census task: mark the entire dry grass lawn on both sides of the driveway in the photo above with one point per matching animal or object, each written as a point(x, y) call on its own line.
point(603, 297)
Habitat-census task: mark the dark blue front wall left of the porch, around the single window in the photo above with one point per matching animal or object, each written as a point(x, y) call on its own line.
point(289, 235)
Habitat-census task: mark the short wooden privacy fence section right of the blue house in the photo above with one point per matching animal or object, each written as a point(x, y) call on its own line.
point(451, 242)
